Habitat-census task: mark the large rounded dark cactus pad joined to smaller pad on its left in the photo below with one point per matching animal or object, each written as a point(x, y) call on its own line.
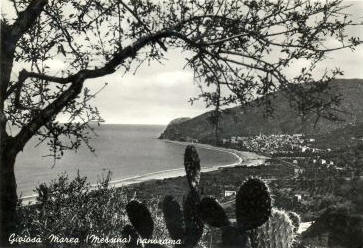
point(253, 208)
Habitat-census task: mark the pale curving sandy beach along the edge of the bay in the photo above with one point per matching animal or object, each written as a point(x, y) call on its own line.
point(243, 158)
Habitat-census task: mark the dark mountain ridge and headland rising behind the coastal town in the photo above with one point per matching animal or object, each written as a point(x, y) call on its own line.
point(250, 120)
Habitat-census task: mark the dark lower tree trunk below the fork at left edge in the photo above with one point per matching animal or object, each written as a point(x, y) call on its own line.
point(8, 196)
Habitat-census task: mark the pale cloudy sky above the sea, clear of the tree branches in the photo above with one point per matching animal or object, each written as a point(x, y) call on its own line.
point(157, 94)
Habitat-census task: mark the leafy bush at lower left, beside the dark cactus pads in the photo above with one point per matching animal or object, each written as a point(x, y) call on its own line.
point(73, 208)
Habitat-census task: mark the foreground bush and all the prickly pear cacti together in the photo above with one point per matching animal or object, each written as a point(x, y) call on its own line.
point(69, 208)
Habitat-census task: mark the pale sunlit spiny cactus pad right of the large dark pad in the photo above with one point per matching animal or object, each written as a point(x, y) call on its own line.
point(277, 232)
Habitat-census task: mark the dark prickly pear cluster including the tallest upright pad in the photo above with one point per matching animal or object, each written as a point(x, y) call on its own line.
point(253, 208)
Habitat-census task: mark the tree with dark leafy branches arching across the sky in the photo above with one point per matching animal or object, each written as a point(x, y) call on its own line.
point(228, 45)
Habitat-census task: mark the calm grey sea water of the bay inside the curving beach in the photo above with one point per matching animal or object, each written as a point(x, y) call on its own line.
point(125, 150)
